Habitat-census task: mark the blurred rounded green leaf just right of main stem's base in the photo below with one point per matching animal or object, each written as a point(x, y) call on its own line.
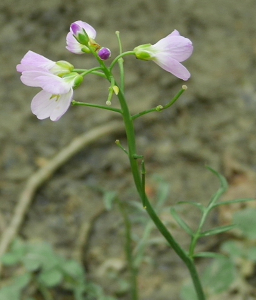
point(219, 275)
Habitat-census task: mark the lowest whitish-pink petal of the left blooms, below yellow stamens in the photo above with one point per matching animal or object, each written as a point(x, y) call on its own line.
point(45, 105)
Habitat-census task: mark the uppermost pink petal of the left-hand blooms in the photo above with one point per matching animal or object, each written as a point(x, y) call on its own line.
point(32, 61)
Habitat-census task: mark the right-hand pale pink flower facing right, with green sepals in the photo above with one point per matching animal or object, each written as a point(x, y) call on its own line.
point(168, 53)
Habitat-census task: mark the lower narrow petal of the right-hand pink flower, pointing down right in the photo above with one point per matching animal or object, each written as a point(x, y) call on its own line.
point(173, 66)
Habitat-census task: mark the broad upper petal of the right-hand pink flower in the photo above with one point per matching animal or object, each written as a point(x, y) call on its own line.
point(177, 47)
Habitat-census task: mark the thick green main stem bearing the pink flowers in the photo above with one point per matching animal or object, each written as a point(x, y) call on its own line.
point(130, 133)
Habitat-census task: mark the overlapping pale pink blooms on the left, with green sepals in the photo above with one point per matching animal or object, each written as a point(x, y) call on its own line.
point(56, 80)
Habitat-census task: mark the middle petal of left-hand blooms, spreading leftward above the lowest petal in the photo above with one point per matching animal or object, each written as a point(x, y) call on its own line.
point(47, 81)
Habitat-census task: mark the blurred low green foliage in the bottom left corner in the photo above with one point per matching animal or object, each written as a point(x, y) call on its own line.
point(46, 269)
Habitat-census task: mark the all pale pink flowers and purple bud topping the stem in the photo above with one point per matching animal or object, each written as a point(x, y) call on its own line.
point(58, 79)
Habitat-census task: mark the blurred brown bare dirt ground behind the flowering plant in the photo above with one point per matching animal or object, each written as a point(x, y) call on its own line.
point(213, 123)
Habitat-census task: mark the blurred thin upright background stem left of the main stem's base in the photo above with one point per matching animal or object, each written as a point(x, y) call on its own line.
point(129, 252)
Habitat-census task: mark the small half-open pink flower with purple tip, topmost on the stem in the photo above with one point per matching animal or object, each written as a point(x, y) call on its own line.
point(77, 38)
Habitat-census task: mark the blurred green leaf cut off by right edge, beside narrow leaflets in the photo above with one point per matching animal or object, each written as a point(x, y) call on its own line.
point(246, 222)
